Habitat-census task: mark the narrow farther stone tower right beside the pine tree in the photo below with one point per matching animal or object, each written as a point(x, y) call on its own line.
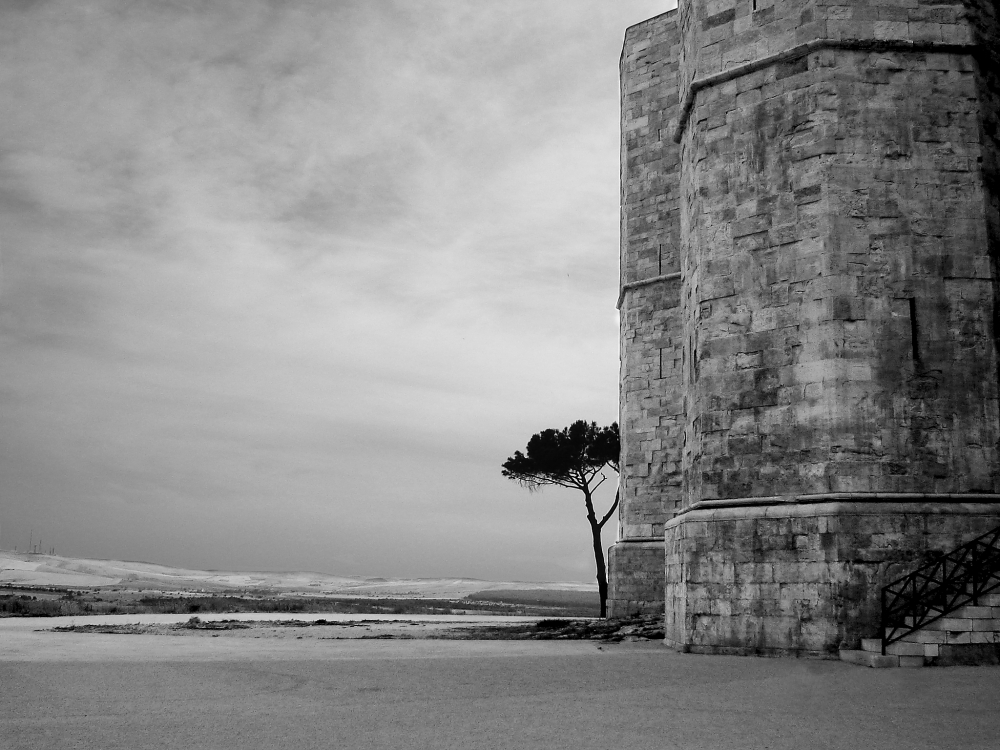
point(650, 406)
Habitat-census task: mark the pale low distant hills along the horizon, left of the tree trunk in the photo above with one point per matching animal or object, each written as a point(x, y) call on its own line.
point(22, 569)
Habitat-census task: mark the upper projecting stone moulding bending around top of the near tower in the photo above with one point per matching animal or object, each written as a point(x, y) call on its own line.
point(800, 50)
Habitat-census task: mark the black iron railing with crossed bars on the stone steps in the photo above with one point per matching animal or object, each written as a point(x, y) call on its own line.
point(941, 586)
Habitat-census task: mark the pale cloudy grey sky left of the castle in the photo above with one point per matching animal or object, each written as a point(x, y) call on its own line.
point(283, 283)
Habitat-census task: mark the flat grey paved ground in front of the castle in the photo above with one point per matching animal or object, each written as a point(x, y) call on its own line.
point(104, 691)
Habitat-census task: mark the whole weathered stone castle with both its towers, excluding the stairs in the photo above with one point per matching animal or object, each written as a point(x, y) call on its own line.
point(809, 365)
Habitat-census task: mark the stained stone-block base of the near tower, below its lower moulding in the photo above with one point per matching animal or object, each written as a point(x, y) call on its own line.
point(799, 579)
